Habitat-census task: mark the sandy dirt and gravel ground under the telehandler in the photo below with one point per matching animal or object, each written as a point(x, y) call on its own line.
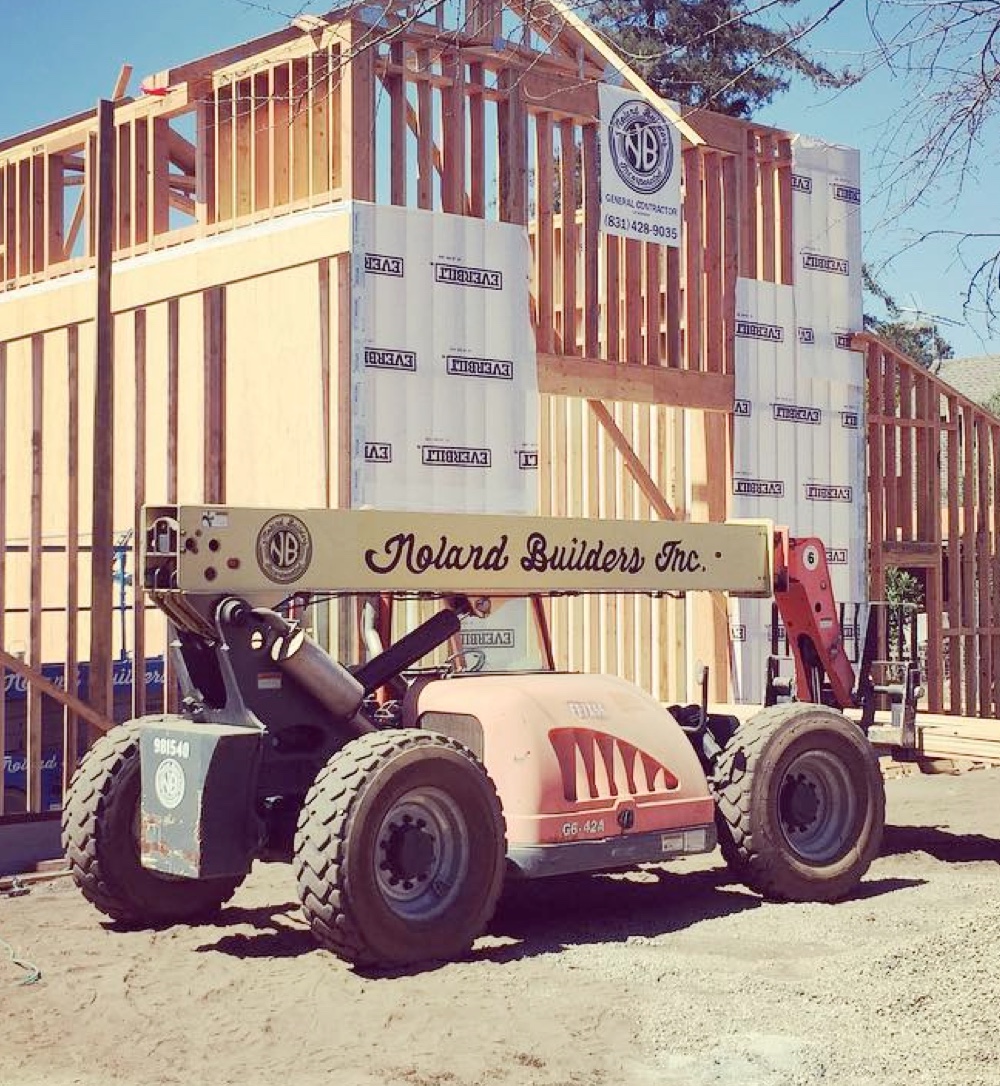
point(672, 977)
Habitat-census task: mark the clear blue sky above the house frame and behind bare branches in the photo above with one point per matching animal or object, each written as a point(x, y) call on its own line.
point(58, 57)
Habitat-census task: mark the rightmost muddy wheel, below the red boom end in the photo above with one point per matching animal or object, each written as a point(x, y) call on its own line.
point(801, 804)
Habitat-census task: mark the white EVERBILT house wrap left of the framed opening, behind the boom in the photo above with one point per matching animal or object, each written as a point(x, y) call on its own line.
point(445, 387)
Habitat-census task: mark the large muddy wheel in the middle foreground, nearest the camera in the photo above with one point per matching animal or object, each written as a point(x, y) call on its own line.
point(400, 851)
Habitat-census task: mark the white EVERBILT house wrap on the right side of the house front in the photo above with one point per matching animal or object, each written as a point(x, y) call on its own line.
point(799, 433)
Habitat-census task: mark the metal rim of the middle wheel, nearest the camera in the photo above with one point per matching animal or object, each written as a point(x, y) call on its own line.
point(422, 854)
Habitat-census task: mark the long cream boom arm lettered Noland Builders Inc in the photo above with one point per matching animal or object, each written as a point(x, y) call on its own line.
point(216, 550)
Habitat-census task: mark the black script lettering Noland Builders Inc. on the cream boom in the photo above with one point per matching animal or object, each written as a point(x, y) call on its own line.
point(540, 555)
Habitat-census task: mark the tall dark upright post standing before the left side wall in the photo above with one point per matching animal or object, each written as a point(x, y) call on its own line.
point(103, 555)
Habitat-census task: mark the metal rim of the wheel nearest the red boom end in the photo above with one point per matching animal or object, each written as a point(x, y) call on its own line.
point(818, 807)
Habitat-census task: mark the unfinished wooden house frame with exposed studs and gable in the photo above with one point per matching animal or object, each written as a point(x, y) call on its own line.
point(118, 349)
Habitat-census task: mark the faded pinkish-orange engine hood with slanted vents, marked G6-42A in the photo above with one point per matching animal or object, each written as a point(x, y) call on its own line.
point(589, 762)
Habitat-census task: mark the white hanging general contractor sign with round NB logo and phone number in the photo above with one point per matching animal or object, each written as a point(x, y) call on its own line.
point(640, 169)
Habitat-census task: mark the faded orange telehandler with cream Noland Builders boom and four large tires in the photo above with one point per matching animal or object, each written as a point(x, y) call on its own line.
point(404, 797)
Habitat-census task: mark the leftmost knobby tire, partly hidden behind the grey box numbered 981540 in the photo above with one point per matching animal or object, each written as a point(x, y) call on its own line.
point(102, 842)
